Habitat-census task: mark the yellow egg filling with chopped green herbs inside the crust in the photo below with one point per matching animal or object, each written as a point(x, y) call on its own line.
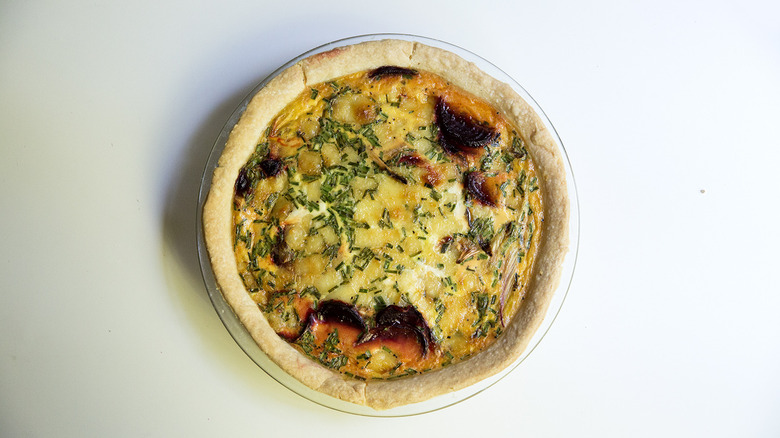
point(387, 222)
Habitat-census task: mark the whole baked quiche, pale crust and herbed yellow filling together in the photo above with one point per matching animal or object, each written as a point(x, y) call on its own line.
point(388, 222)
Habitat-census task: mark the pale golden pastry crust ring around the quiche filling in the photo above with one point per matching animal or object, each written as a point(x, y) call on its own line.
point(276, 95)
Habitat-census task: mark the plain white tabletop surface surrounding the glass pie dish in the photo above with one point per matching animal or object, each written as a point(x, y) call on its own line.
point(669, 110)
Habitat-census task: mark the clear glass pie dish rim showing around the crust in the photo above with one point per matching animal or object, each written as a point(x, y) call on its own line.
point(253, 351)
